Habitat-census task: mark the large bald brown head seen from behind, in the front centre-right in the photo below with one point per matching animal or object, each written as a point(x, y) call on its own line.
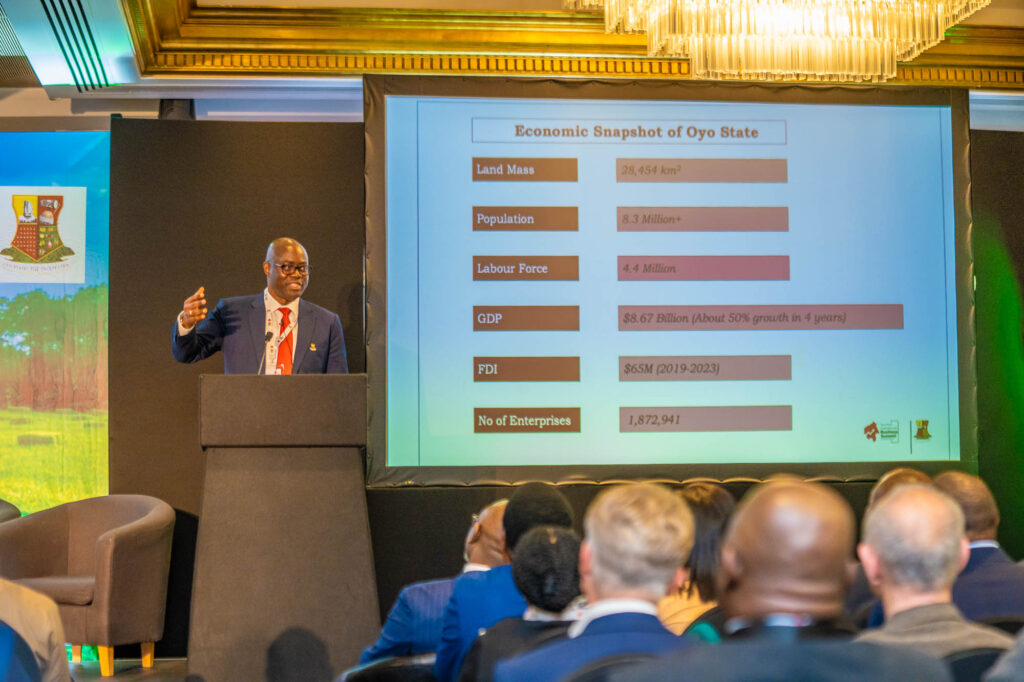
point(788, 551)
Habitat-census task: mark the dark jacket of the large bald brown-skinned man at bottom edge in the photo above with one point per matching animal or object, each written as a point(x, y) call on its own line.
point(791, 660)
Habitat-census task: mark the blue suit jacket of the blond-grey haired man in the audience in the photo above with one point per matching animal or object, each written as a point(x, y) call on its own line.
point(605, 637)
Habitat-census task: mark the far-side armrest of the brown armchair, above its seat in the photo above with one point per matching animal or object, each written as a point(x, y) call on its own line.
point(35, 545)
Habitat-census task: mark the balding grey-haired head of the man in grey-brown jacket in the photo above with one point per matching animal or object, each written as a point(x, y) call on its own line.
point(916, 536)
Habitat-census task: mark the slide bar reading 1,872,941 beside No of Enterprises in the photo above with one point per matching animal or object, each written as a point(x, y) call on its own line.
point(729, 418)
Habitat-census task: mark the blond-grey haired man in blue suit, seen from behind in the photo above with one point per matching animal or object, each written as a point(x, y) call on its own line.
point(637, 537)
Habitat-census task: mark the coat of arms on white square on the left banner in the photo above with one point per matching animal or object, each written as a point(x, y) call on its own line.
point(37, 251)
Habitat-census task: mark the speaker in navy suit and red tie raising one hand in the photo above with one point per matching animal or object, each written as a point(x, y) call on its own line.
point(274, 333)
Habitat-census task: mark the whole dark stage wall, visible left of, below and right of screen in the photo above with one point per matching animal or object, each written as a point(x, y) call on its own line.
point(196, 203)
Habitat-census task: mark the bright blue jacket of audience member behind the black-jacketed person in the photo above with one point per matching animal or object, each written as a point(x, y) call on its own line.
point(479, 601)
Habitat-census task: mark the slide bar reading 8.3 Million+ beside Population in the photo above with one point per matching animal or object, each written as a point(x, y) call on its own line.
point(703, 219)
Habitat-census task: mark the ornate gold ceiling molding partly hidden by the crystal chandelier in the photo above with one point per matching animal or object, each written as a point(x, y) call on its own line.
point(177, 38)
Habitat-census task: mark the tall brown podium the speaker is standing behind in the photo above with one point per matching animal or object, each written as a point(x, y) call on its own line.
point(284, 569)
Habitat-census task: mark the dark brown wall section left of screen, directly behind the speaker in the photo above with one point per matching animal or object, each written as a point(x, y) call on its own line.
point(196, 203)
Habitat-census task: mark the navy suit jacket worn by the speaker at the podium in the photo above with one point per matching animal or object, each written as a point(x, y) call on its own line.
point(238, 327)
